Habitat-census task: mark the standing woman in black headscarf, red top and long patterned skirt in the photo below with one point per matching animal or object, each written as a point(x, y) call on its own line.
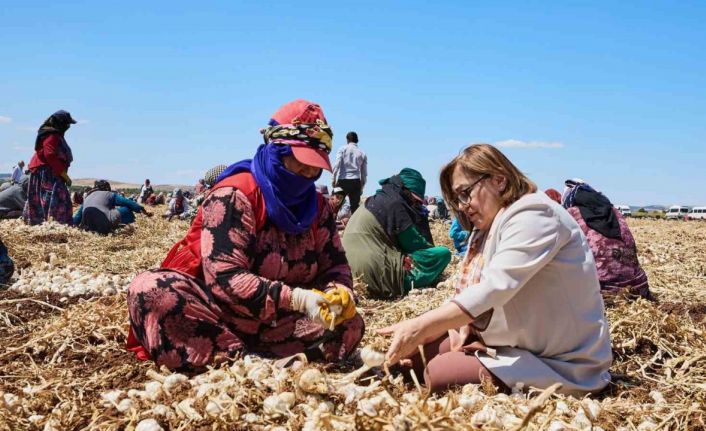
point(48, 195)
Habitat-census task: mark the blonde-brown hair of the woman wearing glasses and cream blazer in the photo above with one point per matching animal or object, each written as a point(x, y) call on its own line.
point(479, 160)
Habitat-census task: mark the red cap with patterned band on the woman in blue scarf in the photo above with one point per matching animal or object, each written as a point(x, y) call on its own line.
point(302, 125)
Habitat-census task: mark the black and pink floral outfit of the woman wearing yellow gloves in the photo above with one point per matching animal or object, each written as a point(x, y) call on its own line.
point(243, 302)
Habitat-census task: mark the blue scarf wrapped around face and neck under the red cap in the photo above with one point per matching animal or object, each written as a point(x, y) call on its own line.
point(290, 199)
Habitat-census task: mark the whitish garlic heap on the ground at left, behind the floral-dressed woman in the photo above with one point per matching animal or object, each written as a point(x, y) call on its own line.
point(68, 281)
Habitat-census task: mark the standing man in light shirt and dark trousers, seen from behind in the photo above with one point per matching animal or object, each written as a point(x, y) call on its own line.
point(351, 170)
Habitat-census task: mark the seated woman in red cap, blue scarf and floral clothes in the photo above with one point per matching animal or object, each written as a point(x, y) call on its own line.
point(261, 267)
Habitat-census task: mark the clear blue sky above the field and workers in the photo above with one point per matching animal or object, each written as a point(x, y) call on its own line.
point(613, 92)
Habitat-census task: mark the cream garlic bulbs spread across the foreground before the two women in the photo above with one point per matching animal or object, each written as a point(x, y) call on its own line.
point(253, 393)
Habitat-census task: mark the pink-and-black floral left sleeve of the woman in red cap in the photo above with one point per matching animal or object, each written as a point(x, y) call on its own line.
point(228, 242)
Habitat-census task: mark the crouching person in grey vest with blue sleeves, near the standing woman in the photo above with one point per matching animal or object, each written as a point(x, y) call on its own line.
point(103, 210)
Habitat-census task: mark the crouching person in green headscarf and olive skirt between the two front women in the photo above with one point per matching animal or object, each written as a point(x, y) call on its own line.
point(388, 241)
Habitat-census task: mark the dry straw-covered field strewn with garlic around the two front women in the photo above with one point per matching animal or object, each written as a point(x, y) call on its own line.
point(63, 365)
